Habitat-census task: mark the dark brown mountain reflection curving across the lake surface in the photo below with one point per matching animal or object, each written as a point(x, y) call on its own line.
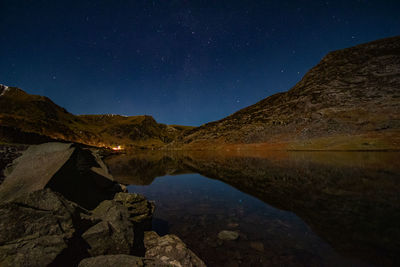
point(351, 200)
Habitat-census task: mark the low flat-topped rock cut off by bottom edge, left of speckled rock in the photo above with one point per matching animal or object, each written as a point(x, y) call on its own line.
point(112, 261)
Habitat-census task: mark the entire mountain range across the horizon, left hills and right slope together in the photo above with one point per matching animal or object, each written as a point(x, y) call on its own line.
point(348, 101)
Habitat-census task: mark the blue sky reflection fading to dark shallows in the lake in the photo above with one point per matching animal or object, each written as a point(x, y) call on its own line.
point(196, 208)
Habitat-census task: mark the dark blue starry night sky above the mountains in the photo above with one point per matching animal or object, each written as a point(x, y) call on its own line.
point(183, 62)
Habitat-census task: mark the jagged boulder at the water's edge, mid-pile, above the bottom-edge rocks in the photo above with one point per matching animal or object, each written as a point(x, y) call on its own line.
point(121, 227)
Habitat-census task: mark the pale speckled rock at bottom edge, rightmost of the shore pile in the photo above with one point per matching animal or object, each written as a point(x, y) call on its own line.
point(170, 250)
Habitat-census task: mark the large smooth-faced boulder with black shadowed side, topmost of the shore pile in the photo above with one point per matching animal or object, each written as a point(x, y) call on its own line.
point(75, 172)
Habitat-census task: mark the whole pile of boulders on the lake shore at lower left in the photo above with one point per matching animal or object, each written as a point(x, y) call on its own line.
point(40, 226)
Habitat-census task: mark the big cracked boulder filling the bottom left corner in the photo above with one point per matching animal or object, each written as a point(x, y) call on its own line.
point(41, 228)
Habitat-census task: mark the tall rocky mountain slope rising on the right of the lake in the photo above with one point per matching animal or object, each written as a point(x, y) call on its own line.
point(349, 101)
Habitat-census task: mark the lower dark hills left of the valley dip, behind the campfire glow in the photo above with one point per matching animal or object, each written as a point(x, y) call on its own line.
point(26, 118)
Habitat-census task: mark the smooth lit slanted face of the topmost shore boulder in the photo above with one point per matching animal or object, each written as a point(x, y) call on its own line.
point(34, 169)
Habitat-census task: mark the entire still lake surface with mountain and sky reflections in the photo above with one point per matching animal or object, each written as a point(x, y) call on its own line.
point(289, 209)
